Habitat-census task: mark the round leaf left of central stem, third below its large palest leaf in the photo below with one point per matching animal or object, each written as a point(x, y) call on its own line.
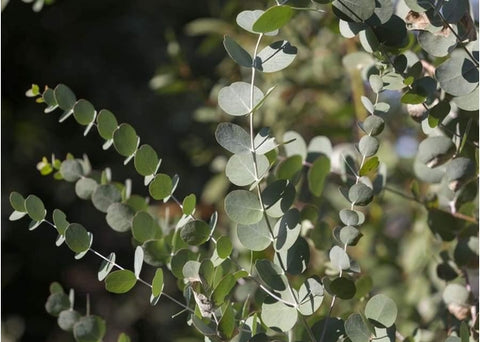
point(243, 207)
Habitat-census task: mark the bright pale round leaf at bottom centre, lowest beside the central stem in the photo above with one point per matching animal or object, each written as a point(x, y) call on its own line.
point(279, 316)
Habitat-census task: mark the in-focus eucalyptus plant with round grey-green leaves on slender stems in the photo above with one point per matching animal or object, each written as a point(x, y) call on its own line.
point(261, 243)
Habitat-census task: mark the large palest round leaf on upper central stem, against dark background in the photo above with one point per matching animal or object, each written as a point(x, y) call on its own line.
point(235, 99)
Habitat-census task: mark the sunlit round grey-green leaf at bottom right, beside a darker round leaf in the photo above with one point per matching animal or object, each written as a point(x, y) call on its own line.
point(381, 310)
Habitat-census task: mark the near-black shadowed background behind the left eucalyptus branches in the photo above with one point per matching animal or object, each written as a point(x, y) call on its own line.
point(107, 52)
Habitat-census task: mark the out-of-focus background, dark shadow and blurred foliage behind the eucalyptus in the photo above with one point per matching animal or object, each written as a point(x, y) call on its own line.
point(158, 65)
